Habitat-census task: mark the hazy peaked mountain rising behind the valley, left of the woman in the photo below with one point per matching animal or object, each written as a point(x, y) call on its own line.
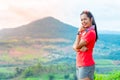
point(48, 27)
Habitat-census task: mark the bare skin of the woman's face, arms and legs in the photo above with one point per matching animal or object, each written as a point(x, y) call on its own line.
point(80, 44)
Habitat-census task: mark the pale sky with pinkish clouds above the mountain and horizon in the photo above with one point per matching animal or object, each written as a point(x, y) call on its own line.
point(14, 13)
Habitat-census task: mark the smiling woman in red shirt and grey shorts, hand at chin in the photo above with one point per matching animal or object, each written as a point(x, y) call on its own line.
point(83, 45)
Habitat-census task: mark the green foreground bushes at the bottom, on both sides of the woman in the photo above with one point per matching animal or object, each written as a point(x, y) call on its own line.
point(60, 72)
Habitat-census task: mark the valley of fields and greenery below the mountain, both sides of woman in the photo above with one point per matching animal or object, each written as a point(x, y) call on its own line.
point(52, 59)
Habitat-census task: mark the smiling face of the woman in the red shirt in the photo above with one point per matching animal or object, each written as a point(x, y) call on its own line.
point(85, 21)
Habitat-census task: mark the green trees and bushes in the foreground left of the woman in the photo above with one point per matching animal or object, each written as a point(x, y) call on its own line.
point(46, 72)
